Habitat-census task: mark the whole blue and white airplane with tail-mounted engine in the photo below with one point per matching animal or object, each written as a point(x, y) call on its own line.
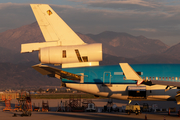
point(81, 70)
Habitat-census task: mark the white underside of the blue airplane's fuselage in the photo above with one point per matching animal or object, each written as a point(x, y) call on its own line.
point(120, 91)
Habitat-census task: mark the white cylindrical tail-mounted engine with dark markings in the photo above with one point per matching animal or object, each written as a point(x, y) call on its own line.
point(71, 54)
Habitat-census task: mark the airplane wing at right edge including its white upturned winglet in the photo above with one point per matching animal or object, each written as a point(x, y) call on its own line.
point(130, 74)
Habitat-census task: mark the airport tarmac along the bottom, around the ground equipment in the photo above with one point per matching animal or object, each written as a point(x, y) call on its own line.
point(53, 115)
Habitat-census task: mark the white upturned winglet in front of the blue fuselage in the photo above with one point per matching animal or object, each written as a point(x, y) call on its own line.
point(130, 73)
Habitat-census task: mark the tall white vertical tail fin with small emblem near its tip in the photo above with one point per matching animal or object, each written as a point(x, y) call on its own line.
point(53, 27)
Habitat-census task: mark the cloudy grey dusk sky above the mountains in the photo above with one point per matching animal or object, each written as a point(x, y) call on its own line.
point(155, 19)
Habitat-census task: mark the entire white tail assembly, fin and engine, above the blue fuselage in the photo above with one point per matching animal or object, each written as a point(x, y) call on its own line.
point(63, 46)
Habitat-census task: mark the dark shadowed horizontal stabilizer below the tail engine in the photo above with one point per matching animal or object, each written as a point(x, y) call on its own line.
point(54, 72)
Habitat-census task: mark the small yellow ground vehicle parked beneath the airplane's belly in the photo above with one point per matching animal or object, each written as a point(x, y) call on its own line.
point(133, 108)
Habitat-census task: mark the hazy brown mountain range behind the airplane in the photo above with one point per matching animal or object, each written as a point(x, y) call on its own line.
point(117, 47)
